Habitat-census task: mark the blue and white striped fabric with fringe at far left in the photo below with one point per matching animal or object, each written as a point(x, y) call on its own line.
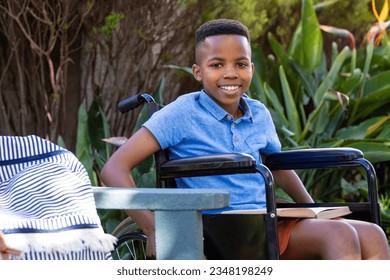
point(47, 208)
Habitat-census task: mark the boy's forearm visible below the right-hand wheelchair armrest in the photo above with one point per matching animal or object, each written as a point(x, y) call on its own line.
point(289, 181)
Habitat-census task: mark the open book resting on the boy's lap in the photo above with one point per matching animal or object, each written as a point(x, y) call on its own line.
point(301, 212)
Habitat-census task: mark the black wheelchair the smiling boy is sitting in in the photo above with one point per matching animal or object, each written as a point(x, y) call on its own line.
point(218, 243)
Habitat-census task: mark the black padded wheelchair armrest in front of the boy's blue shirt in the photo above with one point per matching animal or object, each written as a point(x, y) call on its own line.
point(208, 165)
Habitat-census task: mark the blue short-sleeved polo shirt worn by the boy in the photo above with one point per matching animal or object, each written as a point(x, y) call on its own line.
point(195, 125)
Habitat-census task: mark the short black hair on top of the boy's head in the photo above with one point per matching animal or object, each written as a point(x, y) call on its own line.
point(220, 27)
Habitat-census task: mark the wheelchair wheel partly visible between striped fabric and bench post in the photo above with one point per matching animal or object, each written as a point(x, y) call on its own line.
point(131, 244)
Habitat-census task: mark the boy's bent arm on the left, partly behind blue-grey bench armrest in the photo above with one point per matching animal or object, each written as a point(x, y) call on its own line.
point(117, 173)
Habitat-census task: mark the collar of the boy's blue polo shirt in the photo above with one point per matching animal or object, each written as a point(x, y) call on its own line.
point(214, 109)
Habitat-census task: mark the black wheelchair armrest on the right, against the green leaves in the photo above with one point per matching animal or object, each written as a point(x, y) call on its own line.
point(313, 158)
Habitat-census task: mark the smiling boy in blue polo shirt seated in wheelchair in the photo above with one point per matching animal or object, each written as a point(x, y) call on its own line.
point(222, 119)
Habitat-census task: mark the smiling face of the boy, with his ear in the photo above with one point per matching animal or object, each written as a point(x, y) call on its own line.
point(223, 64)
